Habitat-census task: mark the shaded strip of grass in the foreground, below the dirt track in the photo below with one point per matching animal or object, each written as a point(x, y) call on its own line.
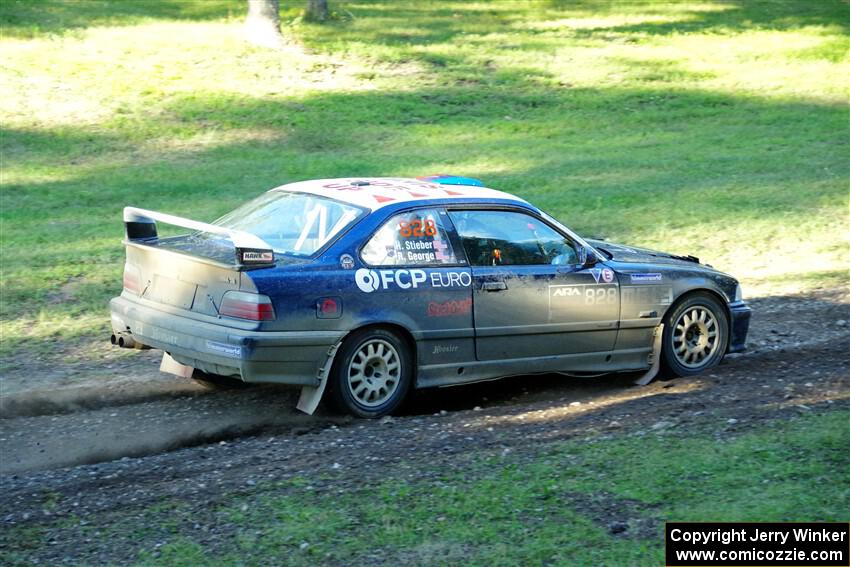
point(553, 507)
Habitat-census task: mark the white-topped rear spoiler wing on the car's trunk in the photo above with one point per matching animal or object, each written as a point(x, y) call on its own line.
point(251, 250)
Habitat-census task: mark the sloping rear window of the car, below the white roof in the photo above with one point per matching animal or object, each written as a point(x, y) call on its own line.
point(293, 223)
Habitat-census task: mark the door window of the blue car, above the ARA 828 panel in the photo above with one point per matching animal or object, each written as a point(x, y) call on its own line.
point(493, 238)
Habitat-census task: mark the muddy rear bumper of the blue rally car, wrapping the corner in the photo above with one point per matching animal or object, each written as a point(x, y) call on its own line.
point(203, 342)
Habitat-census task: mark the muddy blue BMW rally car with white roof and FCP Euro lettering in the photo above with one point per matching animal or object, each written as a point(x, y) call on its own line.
point(369, 287)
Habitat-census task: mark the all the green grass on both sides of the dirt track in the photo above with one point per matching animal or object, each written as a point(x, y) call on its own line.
point(718, 129)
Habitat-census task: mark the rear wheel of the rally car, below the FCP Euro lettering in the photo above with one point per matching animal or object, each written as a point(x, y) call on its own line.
point(362, 392)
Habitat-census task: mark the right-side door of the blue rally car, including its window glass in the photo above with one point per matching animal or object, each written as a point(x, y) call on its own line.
point(531, 296)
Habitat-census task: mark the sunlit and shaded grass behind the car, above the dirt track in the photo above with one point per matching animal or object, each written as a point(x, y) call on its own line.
point(717, 129)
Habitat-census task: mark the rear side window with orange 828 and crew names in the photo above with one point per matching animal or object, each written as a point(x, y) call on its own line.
point(414, 238)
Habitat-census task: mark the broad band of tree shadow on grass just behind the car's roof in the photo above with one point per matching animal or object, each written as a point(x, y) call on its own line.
point(541, 144)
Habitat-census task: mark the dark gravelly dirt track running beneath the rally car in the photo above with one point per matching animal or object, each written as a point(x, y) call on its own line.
point(209, 444)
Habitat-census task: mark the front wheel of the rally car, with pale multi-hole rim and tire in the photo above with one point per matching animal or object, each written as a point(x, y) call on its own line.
point(687, 348)
